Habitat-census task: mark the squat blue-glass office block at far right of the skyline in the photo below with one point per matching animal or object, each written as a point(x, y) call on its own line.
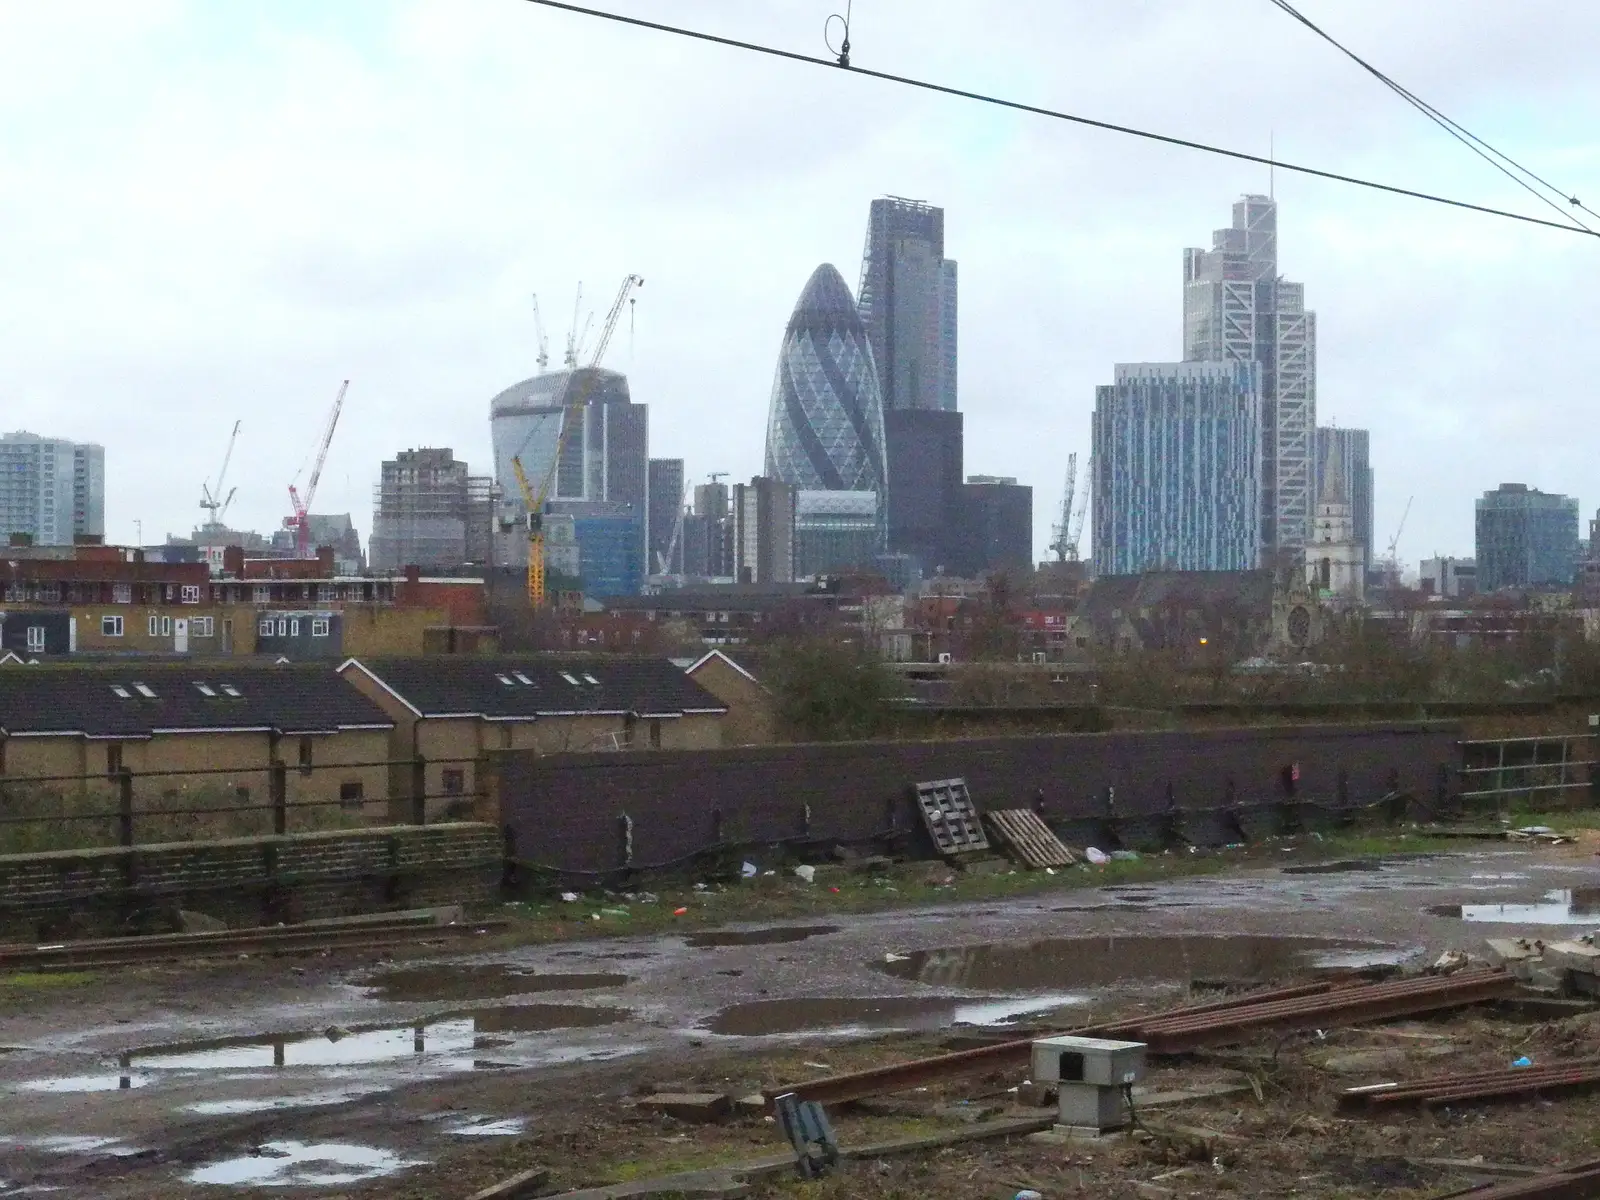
point(1526, 538)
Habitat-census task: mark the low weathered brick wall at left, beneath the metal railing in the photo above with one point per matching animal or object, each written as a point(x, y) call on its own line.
point(249, 881)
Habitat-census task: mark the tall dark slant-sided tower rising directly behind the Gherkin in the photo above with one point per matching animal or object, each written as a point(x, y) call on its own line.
point(910, 305)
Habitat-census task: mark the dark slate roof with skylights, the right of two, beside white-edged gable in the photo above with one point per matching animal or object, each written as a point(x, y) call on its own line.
point(527, 687)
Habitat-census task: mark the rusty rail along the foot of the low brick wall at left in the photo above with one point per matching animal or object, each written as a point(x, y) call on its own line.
point(276, 940)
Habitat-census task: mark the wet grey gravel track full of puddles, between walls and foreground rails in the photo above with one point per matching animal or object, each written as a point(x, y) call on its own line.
point(161, 1082)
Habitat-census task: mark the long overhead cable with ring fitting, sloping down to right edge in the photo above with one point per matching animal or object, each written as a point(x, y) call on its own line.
point(1054, 114)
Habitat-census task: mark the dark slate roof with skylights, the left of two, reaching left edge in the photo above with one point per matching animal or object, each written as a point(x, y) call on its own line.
point(138, 700)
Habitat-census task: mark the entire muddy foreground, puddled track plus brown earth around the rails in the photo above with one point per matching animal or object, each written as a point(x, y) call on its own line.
point(433, 1078)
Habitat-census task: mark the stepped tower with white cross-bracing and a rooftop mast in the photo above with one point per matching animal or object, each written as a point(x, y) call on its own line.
point(1239, 310)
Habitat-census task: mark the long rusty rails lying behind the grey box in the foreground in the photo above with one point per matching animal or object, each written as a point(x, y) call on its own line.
point(1321, 1006)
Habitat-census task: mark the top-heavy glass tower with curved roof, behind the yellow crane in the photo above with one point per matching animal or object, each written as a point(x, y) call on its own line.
point(606, 460)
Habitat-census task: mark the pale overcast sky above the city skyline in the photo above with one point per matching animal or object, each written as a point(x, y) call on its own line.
point(217, 212)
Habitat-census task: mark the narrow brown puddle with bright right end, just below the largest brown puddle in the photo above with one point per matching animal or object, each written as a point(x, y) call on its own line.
point(844, 1015)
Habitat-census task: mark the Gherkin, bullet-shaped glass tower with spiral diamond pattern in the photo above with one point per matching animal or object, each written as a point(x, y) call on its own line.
point(826, 425)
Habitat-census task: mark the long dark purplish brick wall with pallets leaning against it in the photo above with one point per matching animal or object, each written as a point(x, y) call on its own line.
point(601, 814)
